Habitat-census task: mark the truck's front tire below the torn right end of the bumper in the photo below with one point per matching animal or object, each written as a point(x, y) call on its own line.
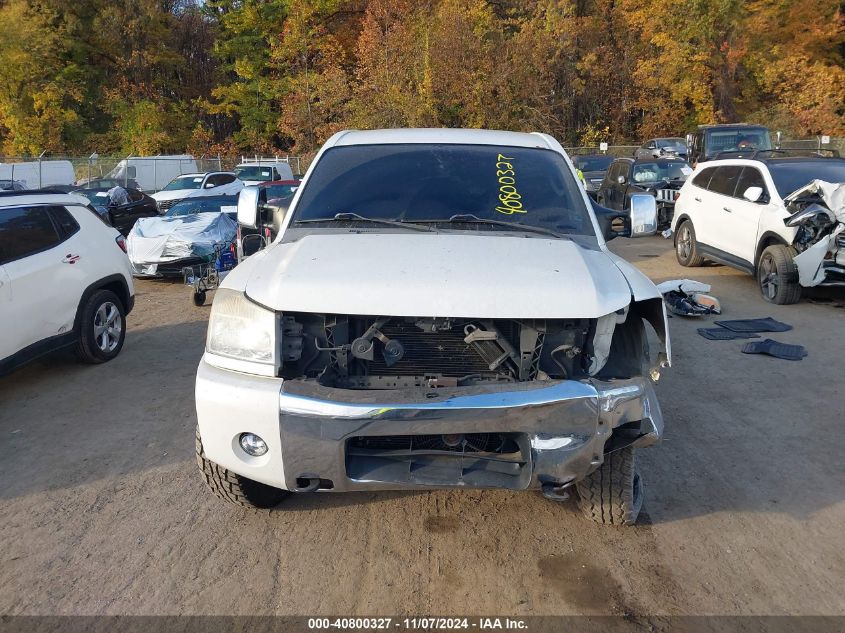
point(613, 493)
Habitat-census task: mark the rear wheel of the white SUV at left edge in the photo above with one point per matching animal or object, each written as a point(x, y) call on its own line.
point(102, 328)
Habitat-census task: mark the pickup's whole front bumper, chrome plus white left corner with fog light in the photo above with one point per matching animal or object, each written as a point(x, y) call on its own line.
point(558, 431)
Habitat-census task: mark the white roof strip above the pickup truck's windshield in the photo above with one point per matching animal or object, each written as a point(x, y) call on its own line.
point(441, 135)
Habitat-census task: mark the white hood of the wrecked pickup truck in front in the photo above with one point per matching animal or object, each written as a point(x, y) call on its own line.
point(431, 274)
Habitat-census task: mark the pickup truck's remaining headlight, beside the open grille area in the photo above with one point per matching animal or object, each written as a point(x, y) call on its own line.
point(241, 329)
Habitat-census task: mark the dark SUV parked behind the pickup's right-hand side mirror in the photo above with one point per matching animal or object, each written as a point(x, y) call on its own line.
point(659, 177)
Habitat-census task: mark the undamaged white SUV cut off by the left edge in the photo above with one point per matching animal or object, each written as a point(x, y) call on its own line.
point(64, 279)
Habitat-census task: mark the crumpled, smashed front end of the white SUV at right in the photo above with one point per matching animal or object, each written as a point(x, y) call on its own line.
point(819, 214)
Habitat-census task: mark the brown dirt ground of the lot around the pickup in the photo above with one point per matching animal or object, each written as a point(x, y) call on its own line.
point(102, 510)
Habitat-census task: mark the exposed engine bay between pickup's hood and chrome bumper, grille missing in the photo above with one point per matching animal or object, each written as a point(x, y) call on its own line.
point(380, 352)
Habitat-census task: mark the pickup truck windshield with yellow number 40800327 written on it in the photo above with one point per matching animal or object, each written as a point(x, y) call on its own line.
point(432, 183)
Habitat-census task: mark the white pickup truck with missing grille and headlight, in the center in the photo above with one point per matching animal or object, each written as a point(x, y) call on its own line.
point(439, 310)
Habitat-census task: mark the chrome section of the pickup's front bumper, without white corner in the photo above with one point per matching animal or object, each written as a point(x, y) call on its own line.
point(562, 430)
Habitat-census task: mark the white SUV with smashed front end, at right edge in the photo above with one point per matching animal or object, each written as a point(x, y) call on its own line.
point(757, 215)
